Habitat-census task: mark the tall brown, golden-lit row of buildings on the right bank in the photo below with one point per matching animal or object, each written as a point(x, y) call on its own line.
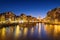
point(53, 16)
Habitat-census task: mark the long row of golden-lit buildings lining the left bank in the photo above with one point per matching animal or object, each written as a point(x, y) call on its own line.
point(10, 17)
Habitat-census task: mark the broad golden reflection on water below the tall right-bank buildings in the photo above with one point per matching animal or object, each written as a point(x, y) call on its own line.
point(53, 30)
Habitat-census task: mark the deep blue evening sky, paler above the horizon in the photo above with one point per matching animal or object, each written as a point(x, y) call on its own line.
point(35, 8)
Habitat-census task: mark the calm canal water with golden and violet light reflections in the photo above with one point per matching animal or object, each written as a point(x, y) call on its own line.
point(35, 32)
